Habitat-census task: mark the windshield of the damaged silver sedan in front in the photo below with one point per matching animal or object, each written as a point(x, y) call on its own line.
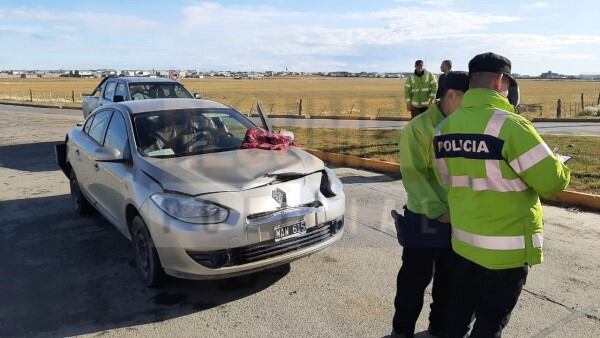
point(183, 132)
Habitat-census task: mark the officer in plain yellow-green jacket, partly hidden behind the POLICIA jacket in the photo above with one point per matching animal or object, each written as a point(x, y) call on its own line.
point(424, 231)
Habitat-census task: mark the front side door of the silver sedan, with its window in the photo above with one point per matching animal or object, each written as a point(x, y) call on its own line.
point(111, 183)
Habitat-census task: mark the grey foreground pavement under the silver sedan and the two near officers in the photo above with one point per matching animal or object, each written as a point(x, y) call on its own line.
point(63, 275)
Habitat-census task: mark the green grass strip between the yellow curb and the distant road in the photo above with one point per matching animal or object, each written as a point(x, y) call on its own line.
point(383, 145)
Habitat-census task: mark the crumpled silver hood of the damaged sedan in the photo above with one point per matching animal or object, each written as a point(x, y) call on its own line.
point(236, 170)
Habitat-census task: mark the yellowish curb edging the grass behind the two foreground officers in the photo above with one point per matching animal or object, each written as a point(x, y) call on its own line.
point(568, 198)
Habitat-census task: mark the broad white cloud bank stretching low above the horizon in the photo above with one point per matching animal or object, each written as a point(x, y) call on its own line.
point(210, 35)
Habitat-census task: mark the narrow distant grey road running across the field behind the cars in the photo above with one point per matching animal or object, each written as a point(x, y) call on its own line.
point(557, 128)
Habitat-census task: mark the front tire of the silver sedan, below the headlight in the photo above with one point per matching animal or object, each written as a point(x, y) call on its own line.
point(146, 256)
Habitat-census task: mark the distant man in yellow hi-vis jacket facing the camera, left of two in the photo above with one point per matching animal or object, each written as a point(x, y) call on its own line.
point(419, 90)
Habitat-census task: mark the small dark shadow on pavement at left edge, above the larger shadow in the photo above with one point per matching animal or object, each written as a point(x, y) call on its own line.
point(33, 157)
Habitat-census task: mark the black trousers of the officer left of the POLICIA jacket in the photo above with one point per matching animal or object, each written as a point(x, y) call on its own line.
point(418, 267)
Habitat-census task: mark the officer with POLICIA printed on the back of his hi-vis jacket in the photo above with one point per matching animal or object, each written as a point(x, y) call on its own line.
point(494, 165)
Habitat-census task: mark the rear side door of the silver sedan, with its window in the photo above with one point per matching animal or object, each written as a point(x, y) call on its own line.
point(88, 143)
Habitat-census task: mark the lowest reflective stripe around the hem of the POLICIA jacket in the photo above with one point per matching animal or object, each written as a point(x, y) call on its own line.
point(497, 242)
